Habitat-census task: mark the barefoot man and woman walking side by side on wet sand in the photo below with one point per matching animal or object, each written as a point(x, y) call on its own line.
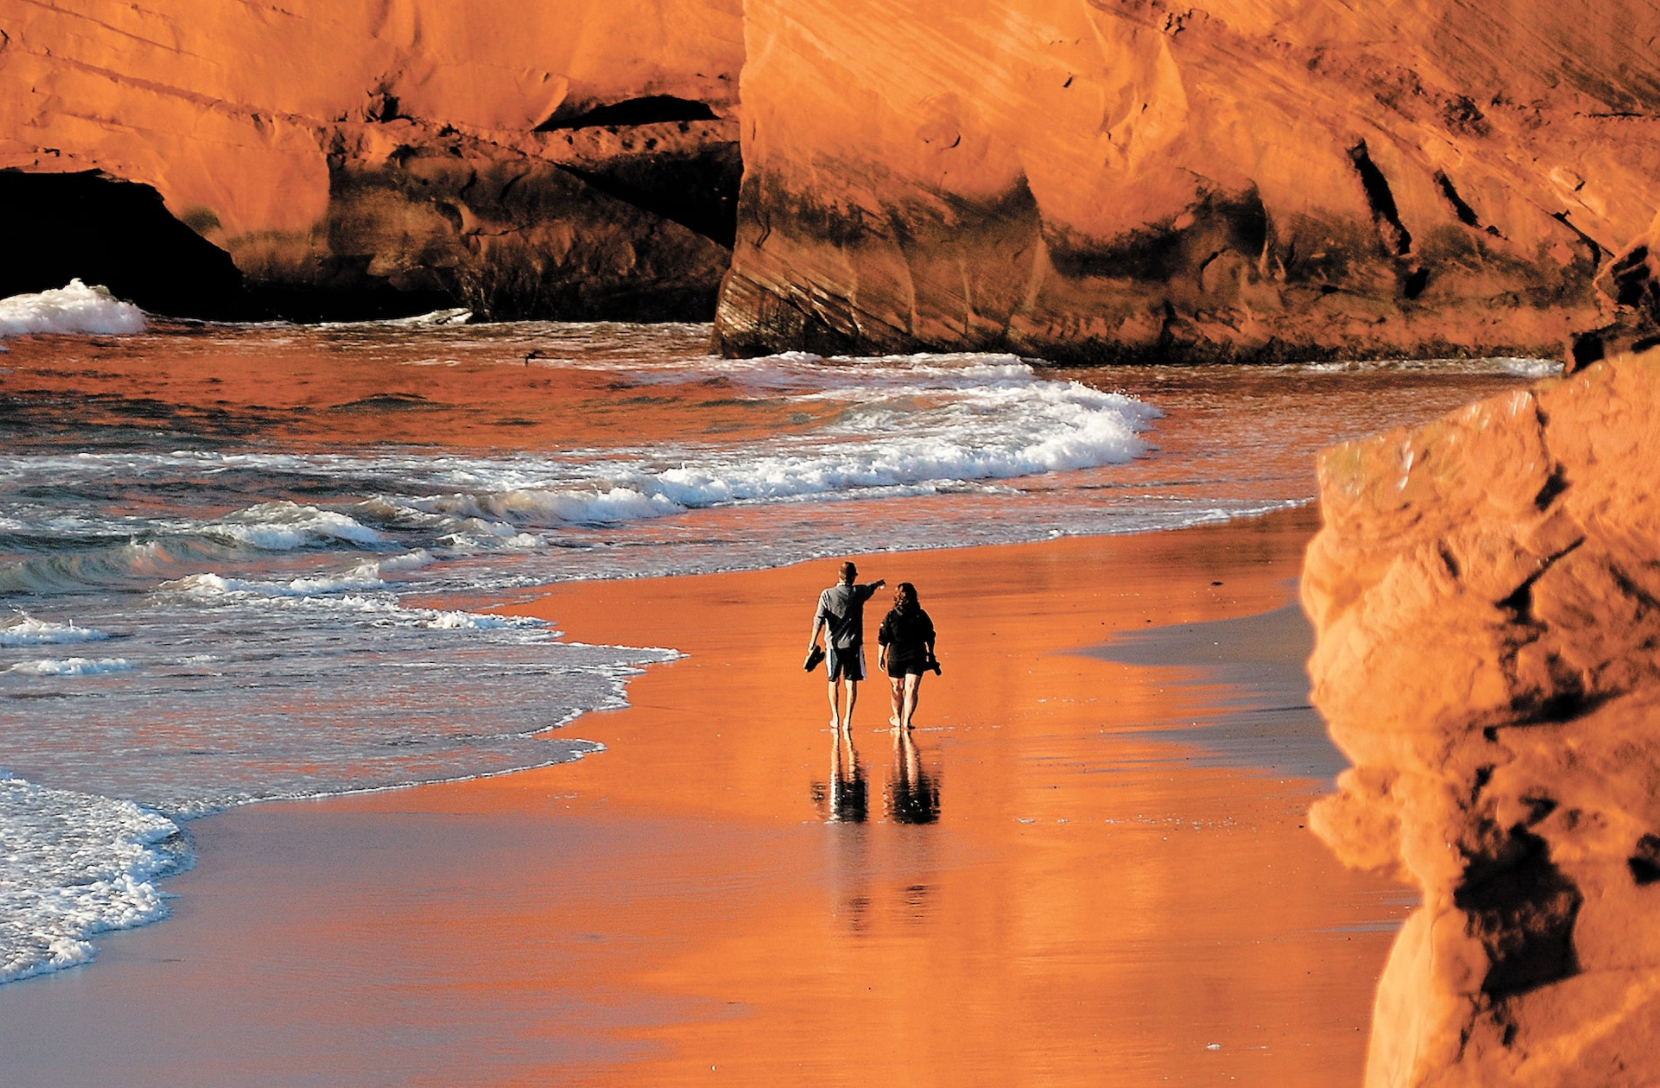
point(906, 645)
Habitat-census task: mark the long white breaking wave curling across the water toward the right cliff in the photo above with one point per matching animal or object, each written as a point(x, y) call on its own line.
point(899, 426)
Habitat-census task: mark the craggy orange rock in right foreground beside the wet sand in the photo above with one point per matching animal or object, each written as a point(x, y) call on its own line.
point(1487, 595)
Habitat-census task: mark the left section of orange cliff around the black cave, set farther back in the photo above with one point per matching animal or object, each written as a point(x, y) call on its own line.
point(569, 160)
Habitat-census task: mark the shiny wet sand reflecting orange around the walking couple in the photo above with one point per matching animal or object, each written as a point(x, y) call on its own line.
point(1057, 881)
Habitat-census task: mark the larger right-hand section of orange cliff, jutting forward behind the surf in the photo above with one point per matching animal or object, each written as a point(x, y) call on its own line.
point(1121, 180)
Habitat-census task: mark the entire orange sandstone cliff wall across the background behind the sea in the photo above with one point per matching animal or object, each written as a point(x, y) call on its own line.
point(1088, 180)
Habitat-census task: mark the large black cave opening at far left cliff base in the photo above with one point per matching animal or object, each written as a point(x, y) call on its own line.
point(115, 233)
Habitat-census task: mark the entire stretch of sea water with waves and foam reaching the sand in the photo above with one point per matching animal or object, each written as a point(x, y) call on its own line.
point(256, 562)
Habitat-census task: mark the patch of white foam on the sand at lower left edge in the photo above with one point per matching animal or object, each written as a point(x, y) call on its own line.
point(76, 866)
